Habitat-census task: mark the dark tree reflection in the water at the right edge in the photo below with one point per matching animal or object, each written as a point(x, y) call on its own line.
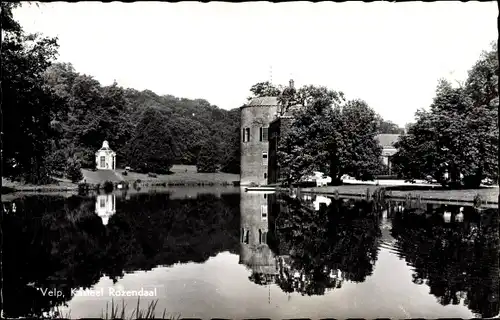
point(458, 260)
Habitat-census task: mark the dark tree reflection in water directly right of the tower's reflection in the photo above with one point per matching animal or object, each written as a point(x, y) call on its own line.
point(320, 249)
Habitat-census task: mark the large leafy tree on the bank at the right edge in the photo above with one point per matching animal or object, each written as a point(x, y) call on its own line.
point(456, 141)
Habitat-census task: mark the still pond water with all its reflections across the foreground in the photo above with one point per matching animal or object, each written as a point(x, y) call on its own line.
point(239, 255)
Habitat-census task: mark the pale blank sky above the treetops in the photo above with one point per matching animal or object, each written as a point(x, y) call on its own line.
point(389, 54)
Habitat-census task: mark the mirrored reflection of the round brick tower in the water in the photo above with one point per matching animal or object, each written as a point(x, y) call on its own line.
point(254, 251)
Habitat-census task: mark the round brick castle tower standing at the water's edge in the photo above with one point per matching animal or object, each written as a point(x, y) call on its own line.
point(256, 116)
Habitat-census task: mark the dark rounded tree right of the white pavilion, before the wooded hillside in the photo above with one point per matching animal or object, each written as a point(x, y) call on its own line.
point(151, 147)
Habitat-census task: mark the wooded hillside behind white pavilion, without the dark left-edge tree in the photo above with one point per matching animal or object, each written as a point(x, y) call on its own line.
point(149, 132)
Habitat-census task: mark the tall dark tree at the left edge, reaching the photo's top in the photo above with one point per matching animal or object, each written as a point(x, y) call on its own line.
point(28, 105)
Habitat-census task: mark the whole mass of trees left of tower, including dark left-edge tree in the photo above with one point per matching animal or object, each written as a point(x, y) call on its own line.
point(58, 118)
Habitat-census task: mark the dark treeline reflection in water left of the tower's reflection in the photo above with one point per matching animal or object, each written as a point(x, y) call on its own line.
point(53, 242)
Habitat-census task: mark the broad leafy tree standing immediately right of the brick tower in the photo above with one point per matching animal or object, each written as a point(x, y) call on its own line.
point(330, 137)
